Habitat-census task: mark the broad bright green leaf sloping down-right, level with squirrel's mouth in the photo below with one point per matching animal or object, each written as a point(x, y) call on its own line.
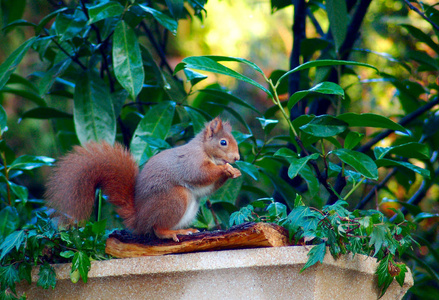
point(362, 163)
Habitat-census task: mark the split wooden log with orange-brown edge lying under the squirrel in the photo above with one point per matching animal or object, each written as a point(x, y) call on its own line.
point(123, 244)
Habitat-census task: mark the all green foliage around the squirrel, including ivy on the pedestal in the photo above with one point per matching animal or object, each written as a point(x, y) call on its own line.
point(103, 74)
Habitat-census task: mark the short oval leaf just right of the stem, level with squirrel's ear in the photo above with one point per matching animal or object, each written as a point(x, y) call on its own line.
point(324, 126)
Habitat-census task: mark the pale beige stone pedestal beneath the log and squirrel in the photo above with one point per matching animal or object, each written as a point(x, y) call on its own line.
point(263, 273)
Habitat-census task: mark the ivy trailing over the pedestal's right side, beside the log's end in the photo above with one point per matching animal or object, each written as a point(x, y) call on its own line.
point(366, 232)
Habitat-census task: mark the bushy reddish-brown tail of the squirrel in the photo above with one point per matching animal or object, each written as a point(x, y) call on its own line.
point(71, 187)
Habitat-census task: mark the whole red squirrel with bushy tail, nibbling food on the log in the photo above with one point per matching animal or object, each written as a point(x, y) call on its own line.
point(163, 198)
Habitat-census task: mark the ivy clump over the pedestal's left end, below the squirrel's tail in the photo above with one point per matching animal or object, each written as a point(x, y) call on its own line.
point(42, 244)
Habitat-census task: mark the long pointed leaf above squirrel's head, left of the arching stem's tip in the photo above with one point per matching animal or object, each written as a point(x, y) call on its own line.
point(208, 63)
